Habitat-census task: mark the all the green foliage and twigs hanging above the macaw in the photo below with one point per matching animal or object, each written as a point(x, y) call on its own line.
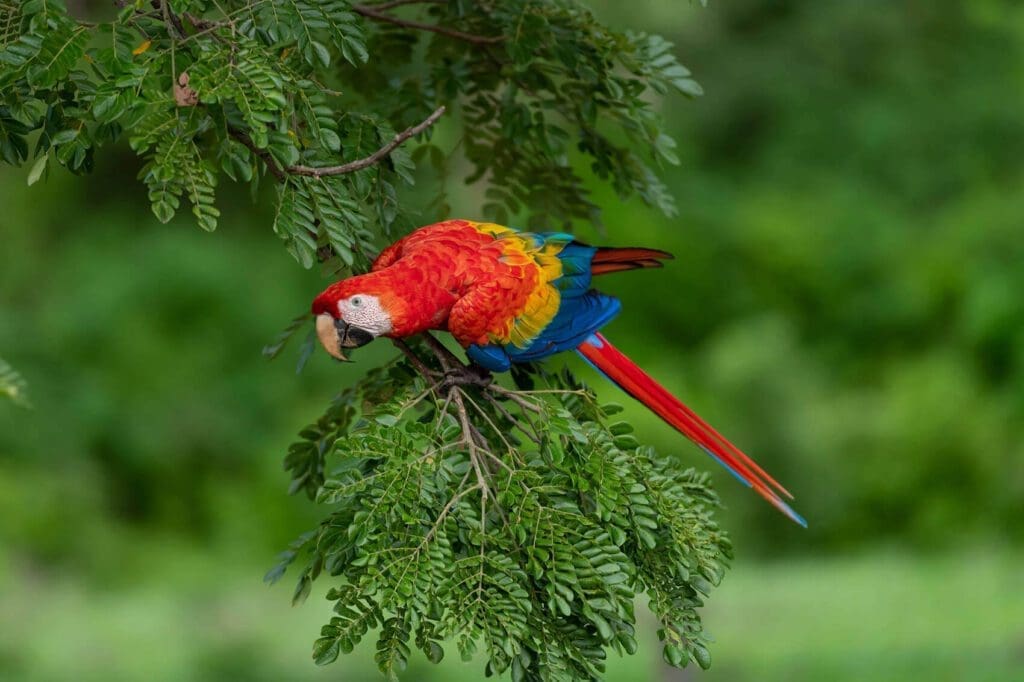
point(250, 90)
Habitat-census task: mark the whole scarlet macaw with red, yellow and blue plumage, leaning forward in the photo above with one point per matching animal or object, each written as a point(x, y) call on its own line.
point(508, 296)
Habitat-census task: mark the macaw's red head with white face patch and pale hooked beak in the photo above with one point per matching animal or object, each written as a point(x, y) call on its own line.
point(354, 313)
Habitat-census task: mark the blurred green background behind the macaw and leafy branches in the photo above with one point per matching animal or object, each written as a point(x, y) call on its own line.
point(846, 304)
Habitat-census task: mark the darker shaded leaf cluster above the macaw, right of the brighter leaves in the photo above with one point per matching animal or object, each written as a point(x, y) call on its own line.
point(544, 87)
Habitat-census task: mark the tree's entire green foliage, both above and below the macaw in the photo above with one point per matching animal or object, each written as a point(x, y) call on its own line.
point(522, 521)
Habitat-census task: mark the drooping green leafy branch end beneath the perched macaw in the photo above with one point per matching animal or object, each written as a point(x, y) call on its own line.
point(531, 533)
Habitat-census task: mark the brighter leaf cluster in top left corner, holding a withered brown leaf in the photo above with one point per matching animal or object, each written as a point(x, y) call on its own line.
point(199, 99)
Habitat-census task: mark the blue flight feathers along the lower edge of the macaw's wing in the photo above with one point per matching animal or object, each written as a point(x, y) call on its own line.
point(578, 318)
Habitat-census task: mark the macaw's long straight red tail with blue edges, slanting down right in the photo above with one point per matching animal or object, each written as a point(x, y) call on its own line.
point(624, 373)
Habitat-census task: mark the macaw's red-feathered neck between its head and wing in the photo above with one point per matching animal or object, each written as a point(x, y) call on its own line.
point(418, 299)
